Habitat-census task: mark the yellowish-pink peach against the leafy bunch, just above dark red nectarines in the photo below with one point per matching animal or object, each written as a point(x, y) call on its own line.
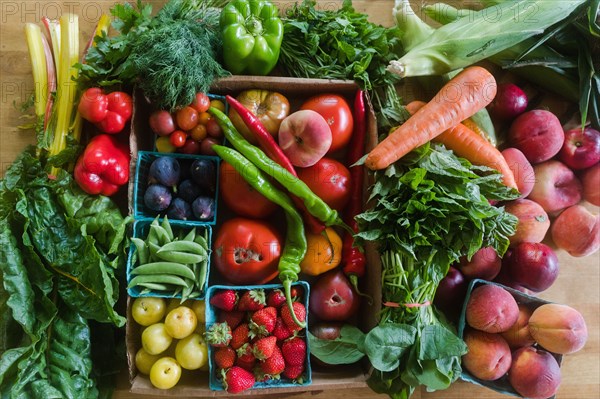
point(533, 220)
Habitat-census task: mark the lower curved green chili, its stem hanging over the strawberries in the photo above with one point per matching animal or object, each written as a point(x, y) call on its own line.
point(295, 246)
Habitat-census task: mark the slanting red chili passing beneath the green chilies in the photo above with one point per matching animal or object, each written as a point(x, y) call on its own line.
point(268, 144)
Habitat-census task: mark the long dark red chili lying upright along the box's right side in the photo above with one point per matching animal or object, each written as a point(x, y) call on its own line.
point(353, 258)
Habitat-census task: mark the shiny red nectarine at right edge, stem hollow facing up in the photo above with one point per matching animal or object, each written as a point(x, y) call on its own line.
point(581, 148)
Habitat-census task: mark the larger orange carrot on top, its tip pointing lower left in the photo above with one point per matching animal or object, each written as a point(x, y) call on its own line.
point(461, 97)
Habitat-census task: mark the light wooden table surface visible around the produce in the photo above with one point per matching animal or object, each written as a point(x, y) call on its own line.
point(578, 284)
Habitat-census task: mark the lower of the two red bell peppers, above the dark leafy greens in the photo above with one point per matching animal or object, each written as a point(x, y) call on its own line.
point(103, 167)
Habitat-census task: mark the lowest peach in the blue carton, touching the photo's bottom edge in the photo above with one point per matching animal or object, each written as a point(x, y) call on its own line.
point(534, 373)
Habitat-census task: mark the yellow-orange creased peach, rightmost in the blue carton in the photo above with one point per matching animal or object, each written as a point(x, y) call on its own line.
point(558, 328)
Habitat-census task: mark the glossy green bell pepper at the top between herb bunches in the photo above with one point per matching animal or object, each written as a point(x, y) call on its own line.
point(252, 34)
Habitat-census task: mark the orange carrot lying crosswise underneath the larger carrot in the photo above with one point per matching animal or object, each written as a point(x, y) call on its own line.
point(467, 144)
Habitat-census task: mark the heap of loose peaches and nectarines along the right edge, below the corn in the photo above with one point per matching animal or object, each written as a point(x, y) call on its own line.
point(556, 171)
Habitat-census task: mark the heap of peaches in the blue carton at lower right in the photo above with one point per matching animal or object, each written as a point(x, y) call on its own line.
point(519, 340)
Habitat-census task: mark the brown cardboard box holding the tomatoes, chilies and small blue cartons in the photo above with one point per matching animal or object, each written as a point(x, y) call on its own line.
point(296, 90)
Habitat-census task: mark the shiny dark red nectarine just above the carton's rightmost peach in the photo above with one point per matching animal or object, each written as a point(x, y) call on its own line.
point(533, 266)
